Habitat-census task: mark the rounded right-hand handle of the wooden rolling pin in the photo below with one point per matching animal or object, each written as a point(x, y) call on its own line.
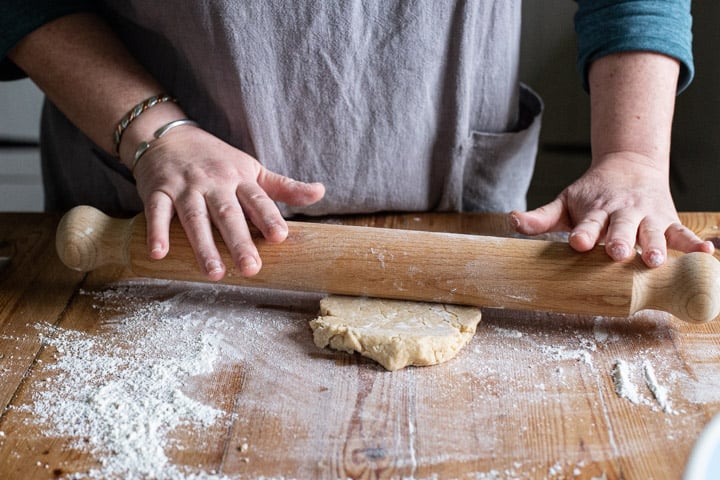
point(688, 287)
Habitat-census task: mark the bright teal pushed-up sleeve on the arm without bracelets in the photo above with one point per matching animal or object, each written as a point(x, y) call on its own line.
point(612, 26)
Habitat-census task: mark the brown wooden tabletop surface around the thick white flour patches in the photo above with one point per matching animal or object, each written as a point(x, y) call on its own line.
point(531, 396)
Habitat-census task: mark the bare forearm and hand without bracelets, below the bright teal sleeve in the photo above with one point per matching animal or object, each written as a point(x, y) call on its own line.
point(624, 198)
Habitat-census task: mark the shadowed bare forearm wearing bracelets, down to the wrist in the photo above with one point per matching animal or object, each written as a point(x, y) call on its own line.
point(85, 70)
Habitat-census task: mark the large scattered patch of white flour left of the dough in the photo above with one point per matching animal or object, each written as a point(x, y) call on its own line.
point(120, 392)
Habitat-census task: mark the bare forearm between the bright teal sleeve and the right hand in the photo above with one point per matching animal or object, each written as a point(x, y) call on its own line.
point(632, 104)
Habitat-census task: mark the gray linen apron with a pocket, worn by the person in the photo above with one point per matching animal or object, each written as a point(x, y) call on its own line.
point(393, 105)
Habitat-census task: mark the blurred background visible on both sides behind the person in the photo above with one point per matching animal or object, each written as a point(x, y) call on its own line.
point(548, 66)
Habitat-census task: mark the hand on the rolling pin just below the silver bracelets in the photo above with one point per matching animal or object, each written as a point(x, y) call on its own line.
point(208, 182)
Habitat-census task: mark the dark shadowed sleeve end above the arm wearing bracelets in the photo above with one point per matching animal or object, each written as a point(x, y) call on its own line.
point(20, 17)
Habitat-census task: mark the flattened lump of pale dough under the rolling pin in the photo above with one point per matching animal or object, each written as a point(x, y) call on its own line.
point(394, 333)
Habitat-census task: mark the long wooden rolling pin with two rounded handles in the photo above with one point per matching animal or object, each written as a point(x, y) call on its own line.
point(413, 265)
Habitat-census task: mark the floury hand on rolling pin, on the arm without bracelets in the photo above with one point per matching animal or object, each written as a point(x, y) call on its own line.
point(623, 200)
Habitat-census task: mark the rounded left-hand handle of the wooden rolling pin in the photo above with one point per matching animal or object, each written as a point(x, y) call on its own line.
point(87, 239)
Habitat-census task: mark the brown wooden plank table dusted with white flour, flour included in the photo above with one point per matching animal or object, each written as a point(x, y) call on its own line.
point(113, 377)
